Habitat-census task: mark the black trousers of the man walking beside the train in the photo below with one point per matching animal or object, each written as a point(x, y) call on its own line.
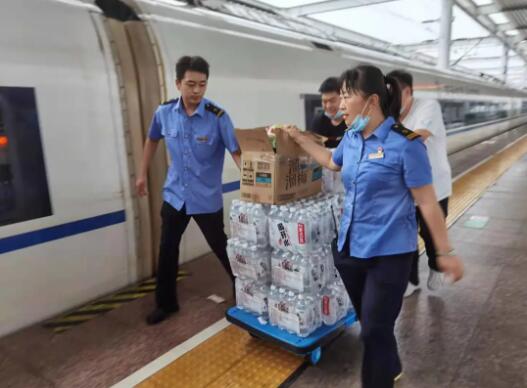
point(173, 225)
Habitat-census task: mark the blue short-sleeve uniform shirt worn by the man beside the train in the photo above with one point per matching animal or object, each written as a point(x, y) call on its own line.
point(196, 145)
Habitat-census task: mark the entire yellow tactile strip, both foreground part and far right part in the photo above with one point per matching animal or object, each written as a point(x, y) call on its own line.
point(232, 358)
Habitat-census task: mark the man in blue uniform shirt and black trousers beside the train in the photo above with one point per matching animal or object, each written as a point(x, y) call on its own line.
point(196, 133)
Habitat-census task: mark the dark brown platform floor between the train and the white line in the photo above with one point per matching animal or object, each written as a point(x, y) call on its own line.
point(103, 351)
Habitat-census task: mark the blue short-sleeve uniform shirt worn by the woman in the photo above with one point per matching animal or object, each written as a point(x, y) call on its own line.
point(378, 172)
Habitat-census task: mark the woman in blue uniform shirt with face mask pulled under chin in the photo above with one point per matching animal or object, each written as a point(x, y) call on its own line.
point(385, 170)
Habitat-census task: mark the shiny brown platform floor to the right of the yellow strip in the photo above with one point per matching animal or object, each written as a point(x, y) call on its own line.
point(472, 334)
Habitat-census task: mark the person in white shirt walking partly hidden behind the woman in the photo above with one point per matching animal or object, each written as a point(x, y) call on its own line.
point(424, 117)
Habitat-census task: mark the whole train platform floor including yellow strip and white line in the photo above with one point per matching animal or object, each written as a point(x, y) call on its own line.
point(471, 334)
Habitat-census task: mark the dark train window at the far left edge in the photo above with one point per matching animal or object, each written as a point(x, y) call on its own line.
point(24, 193)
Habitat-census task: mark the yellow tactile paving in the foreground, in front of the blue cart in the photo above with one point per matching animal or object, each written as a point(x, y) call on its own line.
point(231, 358)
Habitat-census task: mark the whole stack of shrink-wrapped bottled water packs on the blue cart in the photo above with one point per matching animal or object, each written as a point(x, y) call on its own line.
point(288, 246)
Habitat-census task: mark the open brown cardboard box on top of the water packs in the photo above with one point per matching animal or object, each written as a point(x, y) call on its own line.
point(275, 177)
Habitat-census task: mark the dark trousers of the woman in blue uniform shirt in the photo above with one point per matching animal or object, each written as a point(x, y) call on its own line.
point(376, 287)
